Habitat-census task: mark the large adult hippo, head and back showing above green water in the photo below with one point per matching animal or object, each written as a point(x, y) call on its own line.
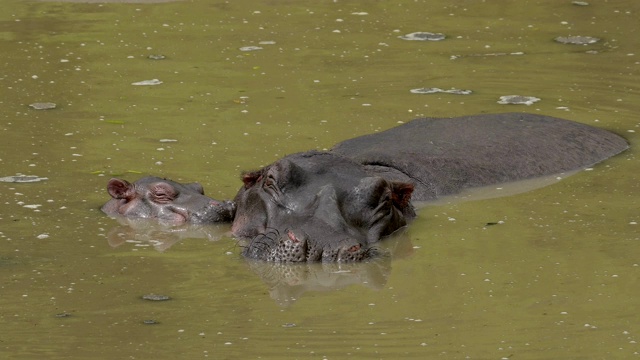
point(335, 206)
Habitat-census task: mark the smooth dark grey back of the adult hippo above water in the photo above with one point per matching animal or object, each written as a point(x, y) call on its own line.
point(444, 155)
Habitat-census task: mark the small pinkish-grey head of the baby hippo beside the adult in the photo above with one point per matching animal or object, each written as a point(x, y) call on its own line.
point(165, 200)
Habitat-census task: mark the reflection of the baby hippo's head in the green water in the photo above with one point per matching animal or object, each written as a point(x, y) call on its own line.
point(161, 236)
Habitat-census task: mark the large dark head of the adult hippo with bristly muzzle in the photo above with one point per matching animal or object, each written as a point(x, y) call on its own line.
point(318, 206)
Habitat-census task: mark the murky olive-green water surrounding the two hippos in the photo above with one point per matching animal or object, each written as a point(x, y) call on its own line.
point(552, 273)
